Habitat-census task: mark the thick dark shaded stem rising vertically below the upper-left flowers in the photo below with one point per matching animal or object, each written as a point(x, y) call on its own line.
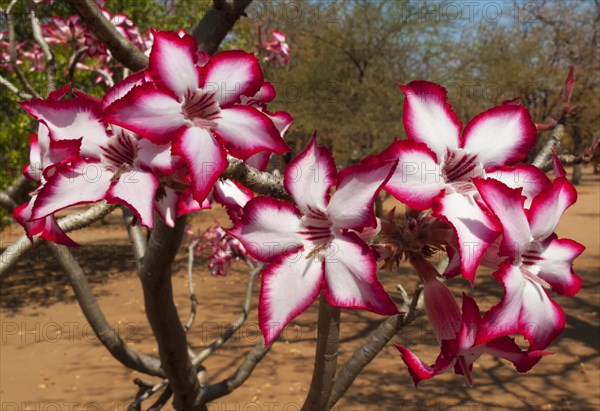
point(155, 276)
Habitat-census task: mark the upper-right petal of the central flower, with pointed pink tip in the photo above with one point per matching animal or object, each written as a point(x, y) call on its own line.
point(351, 205)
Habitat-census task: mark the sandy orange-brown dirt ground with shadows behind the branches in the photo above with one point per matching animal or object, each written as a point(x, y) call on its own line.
point(50, 359)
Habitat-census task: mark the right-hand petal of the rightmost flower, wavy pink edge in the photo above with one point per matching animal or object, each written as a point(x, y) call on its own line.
point(556, 265)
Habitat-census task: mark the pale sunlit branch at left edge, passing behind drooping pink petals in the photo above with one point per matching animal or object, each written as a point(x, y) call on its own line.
point(68, 223)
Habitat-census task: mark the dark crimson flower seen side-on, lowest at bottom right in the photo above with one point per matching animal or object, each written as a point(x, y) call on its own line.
point(461, 352)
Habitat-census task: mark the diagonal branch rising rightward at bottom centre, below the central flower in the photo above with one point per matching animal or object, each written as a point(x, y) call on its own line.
point(368, 351)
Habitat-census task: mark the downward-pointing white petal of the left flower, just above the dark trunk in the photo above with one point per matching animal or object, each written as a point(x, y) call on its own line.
point(136, 189)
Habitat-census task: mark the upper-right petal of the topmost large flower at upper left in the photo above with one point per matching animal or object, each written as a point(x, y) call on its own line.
point(231, 74)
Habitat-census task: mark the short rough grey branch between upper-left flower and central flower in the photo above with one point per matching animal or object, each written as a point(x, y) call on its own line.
point(259, 181)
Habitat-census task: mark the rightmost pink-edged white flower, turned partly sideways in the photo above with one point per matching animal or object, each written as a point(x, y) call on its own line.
point(537, 261)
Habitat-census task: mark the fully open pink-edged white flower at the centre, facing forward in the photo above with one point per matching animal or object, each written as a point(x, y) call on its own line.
point(315, 247)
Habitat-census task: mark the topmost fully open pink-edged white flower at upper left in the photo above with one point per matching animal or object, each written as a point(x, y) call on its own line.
point(197, 108)
